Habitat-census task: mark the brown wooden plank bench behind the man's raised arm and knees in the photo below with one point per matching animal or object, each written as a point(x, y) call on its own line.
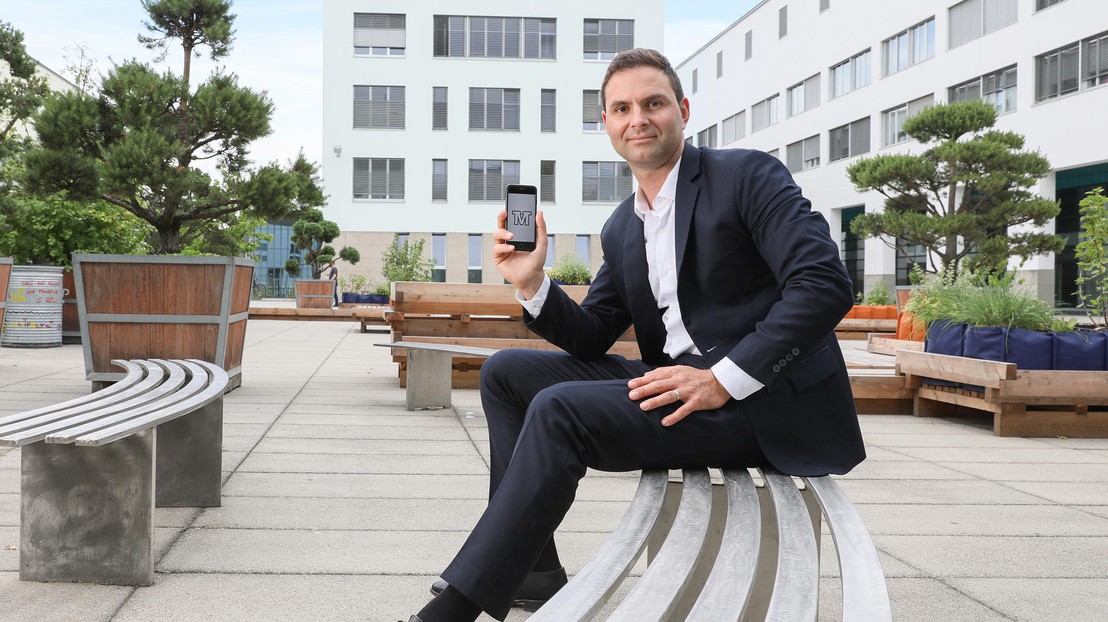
point(470, 315)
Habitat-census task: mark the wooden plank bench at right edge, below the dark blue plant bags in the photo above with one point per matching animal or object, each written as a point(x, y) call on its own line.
point(1024, 403)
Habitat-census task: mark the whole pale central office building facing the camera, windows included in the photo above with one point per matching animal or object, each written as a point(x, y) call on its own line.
point(432, 108)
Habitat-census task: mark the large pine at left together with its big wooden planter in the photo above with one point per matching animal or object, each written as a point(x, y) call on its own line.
point(176, 156)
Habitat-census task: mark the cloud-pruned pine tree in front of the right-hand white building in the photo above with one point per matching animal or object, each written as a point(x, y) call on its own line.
point(962, 198)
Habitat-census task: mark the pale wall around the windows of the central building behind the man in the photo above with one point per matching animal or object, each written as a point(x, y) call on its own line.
point(366, 223)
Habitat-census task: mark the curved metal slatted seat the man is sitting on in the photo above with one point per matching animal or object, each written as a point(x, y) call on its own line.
point(730, 553)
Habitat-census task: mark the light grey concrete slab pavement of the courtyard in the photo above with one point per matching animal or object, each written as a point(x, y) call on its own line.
point(338, 505)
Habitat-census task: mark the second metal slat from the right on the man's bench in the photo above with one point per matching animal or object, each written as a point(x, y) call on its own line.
point(797, 585)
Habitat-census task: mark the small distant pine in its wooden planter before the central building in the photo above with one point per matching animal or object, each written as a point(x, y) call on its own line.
point(313, 236)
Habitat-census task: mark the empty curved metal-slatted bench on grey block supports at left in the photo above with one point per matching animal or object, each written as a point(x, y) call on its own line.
point(94, 470)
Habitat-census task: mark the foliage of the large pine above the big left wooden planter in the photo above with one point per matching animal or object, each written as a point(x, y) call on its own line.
point(142, 141)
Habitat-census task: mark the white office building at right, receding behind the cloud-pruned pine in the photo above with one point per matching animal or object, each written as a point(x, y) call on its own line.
point(825, 83)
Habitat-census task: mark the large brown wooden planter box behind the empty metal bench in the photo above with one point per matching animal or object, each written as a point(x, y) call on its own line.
point(136, 307)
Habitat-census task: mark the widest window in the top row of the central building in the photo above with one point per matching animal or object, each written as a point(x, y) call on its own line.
point(495, 38)
